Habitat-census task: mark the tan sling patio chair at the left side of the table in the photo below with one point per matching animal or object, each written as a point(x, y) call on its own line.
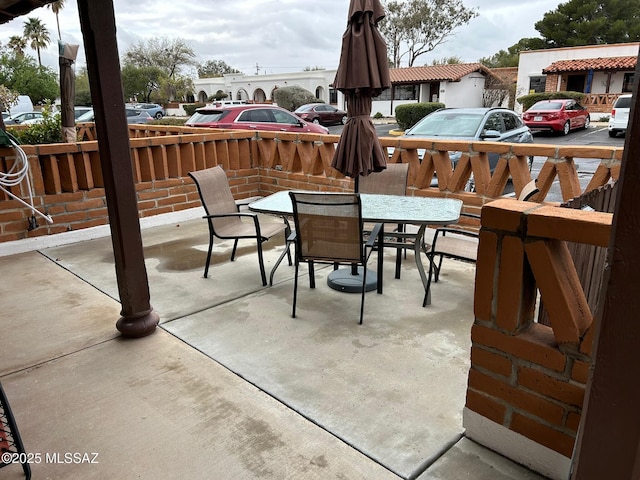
point(225, 219)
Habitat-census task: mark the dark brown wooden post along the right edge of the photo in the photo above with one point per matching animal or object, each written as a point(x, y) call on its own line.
point(608, 444)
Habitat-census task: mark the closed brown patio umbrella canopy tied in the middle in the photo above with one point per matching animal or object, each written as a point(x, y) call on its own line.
point(363, 73)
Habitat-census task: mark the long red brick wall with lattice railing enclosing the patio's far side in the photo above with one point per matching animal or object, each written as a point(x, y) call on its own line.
point(68, 185)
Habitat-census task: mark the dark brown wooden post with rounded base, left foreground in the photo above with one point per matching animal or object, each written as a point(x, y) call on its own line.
point(97, 20)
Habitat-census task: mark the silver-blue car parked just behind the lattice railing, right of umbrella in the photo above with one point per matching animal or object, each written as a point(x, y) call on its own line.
point(491, 124)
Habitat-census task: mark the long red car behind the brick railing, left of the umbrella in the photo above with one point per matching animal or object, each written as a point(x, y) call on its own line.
point(252, 117)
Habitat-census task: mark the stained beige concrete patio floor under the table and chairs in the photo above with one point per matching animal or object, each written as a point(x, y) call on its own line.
point(230, 386)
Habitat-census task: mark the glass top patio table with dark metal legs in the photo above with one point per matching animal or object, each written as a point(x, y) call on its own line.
point(378, 208)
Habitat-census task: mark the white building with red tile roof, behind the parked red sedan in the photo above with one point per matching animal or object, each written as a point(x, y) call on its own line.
point(601, 72)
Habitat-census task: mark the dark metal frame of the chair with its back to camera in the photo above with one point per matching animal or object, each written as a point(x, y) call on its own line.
point(297, 238)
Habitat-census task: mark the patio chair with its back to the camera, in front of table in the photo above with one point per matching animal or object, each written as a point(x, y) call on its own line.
point(329, 229)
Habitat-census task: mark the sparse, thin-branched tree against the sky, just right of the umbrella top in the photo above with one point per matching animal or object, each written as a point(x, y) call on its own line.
point(421, 25)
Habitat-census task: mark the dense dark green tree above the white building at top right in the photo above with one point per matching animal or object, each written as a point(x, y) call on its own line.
point(591, 22)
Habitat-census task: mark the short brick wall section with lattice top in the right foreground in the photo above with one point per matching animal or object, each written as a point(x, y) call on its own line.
point(526, 377)
